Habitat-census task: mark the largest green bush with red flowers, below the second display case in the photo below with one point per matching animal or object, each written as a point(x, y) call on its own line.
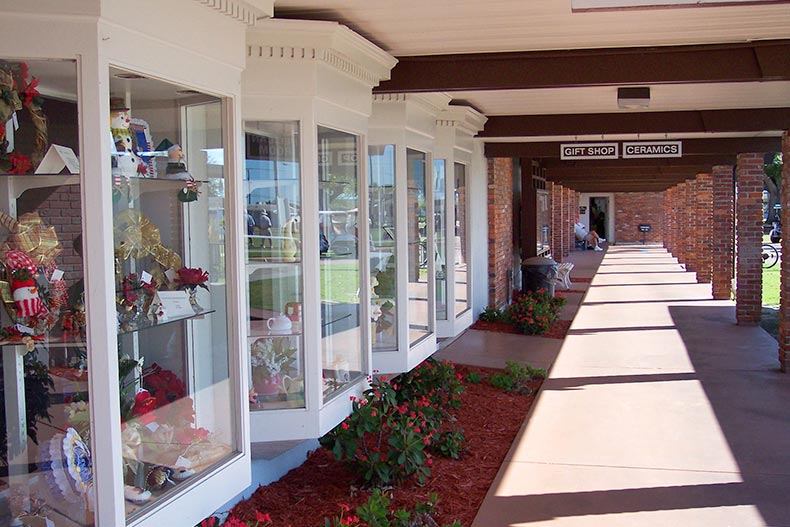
point(394, 427)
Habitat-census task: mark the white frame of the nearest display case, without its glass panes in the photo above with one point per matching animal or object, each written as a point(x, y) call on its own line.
point(97, 36)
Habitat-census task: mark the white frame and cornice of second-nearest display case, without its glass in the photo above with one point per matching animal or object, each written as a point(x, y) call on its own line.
point(325, 83)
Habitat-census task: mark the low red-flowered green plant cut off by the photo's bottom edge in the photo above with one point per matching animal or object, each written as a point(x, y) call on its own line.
point(376, 513)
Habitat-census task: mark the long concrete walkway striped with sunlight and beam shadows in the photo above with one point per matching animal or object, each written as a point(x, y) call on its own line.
point(658, 411)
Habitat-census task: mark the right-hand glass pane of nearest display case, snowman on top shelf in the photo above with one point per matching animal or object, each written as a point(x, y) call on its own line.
point(168, 205)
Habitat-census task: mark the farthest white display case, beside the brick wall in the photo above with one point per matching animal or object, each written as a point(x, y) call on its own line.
point(456, 127)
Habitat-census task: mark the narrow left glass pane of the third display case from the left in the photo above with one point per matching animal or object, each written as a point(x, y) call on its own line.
point(383, 260)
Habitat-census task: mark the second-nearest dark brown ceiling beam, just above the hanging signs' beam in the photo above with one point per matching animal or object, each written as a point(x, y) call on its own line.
point(695, 121)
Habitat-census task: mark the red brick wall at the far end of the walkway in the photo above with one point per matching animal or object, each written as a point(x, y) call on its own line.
point(633, 208)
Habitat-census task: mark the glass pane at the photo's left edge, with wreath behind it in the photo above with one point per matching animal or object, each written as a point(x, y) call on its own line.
point(44, 414)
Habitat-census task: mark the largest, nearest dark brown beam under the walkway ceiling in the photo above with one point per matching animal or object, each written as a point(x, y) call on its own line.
point(727, 62)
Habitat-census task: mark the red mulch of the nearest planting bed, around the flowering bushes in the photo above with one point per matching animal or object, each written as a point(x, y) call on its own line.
point(490, 419)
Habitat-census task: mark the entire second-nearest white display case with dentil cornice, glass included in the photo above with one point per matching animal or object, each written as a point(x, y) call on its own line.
point(306, 101)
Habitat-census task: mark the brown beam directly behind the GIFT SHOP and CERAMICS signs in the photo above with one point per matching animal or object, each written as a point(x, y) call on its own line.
point(718, 145)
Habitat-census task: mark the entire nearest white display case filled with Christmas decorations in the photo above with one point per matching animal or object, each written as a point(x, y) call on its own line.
point(180, 455)
